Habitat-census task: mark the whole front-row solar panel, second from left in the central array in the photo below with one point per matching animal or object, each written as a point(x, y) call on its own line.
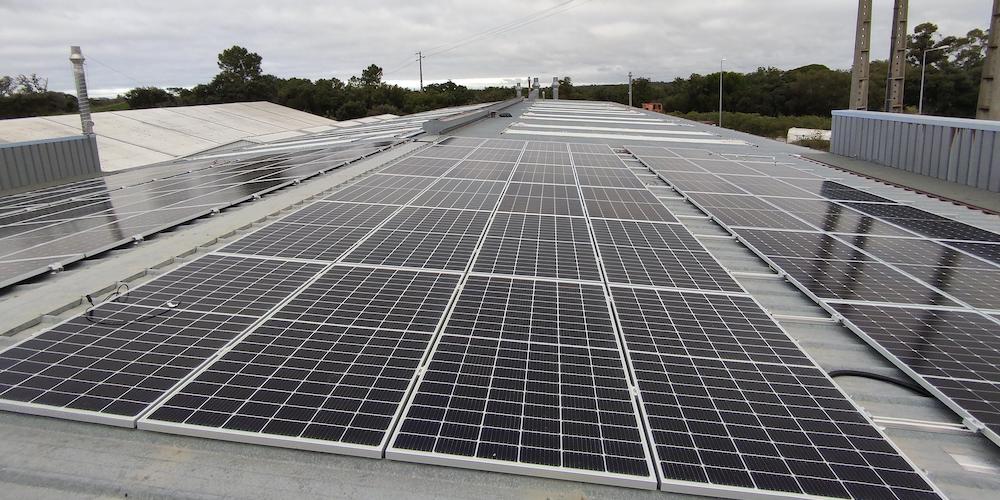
point(328, 373)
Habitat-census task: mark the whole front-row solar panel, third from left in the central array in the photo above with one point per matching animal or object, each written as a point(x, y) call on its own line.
point(527, 378)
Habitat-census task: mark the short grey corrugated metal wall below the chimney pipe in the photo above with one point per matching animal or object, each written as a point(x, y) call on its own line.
point(35, 163)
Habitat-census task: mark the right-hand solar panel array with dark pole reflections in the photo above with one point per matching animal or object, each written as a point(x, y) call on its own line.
point(921, 288)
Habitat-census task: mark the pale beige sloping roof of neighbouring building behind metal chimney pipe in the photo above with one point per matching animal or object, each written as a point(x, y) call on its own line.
point(143, 136)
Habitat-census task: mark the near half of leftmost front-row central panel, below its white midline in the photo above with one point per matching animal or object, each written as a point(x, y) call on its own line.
point(108, 367)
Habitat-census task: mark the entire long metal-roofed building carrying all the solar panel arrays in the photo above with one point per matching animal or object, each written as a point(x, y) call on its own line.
point(578, 300)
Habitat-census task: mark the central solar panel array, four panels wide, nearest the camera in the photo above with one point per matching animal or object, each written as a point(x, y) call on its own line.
point(484, 303)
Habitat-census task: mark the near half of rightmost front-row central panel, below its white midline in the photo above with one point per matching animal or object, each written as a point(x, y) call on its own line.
point(765, 428)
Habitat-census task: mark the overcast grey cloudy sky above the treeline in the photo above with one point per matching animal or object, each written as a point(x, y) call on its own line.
point(475, 42)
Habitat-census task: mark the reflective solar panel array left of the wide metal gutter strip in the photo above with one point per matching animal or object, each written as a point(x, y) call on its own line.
point(49, 228)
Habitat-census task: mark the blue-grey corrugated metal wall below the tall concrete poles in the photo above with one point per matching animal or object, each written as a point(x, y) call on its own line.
point(955, 149)
